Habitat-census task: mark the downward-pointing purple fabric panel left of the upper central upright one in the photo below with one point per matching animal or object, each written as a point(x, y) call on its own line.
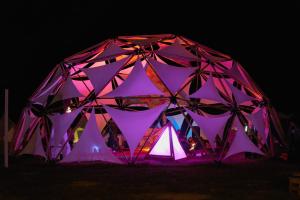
point(100, 76)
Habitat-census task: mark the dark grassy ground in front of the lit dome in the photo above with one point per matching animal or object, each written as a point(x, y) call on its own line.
point(257, 180)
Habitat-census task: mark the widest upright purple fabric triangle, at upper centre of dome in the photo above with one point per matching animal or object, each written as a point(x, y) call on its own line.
point(137, 84)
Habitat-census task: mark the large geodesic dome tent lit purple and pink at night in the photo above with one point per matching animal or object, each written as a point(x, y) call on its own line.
point(132, 97)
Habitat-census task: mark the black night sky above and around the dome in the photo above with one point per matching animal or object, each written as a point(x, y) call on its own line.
point(262, 37)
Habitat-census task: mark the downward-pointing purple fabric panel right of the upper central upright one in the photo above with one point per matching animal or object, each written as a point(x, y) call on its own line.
point(173, 77)
